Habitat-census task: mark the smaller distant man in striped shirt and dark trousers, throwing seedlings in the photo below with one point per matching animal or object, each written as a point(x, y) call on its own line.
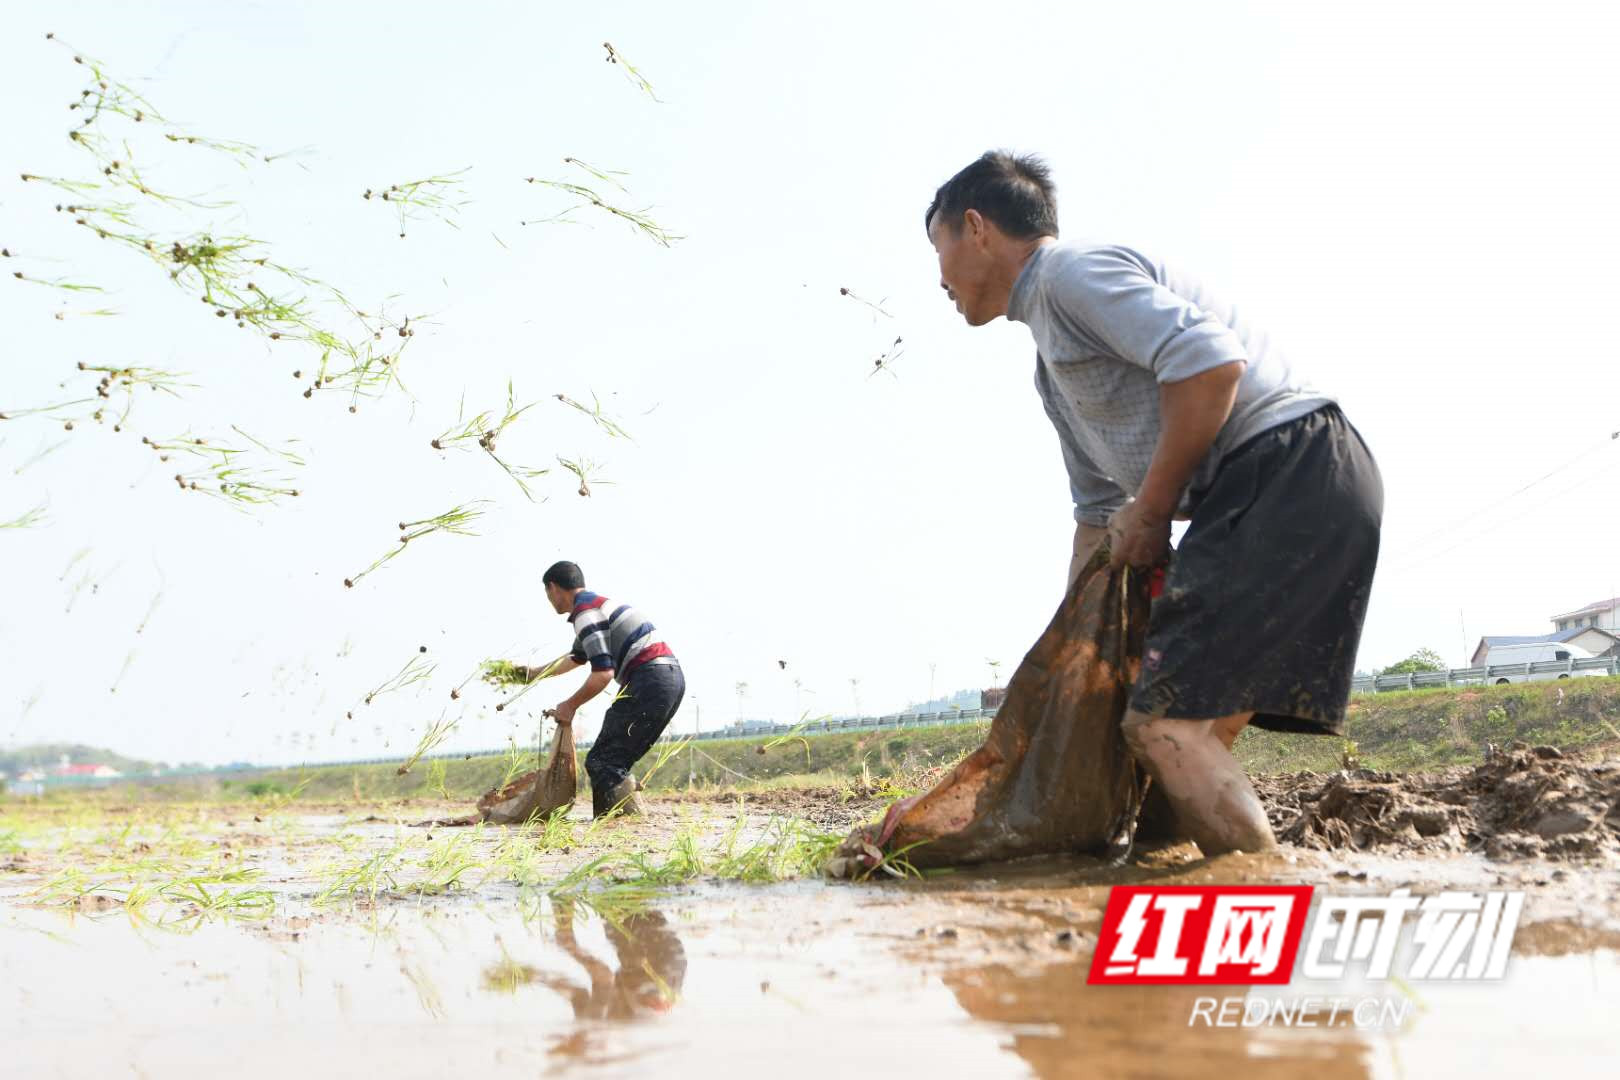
point(618, 642)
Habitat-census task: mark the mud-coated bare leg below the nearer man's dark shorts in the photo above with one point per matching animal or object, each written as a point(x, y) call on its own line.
point(1192, 760)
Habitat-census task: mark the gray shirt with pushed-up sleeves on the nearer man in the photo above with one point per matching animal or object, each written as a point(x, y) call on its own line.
point(1112, 325)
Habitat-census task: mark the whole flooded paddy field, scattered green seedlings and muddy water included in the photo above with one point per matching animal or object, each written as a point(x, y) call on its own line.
point(184, 940)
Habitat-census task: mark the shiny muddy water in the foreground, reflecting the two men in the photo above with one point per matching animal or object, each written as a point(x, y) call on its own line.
point(976, 974)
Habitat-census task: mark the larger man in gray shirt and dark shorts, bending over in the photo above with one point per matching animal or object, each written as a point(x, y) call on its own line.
point(1169, 404)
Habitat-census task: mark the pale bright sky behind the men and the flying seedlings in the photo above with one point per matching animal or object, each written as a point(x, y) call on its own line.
point(1417, 202)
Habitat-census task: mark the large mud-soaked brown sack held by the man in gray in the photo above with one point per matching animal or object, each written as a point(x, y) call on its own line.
point(1054, 776)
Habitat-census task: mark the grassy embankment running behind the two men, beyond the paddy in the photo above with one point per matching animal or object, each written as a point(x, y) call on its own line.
point(1423, 729)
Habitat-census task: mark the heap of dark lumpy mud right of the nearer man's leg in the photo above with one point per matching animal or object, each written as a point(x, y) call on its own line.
point(1522, 802)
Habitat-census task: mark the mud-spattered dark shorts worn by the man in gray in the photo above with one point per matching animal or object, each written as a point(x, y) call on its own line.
point(1266, 597)
